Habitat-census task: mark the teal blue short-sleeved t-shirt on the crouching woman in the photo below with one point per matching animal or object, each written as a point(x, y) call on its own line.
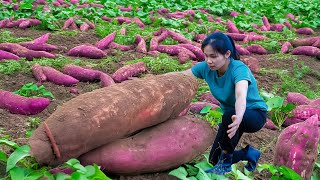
point(223, 87)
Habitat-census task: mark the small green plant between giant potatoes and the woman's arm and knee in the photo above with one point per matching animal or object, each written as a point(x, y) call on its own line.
point(213, 116)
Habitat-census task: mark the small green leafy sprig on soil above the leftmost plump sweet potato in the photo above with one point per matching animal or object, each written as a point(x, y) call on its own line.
point(33, 90)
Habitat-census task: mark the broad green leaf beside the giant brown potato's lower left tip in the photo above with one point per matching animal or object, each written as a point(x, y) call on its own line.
point(17, 155)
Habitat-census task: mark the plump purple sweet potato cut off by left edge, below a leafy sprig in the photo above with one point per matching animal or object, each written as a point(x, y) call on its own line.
point(17, 104)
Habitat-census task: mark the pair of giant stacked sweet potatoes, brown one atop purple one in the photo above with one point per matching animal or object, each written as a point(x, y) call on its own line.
point(105, 115)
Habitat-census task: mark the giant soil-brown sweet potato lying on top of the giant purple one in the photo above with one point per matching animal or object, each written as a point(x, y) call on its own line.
point(99, 117)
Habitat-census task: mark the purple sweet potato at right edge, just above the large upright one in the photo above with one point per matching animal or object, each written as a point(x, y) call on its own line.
point(305, 111)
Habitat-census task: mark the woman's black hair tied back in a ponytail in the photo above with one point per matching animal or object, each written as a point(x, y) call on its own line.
point(222, 43)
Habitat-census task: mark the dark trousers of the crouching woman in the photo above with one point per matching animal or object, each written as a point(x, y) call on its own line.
point(253, 120)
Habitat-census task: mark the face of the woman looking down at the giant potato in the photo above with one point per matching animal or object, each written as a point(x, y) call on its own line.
point(214, 59)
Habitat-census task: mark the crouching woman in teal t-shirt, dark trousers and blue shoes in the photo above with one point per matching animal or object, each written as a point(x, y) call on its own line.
point(233, 85)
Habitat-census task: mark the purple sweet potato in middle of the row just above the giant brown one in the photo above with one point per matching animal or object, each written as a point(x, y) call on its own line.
point(80, 73)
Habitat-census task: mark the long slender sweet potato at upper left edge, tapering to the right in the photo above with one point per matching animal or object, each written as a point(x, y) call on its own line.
point(24, 52)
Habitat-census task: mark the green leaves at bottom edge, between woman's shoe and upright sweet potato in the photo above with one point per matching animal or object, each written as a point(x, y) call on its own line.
point(280, 172)
